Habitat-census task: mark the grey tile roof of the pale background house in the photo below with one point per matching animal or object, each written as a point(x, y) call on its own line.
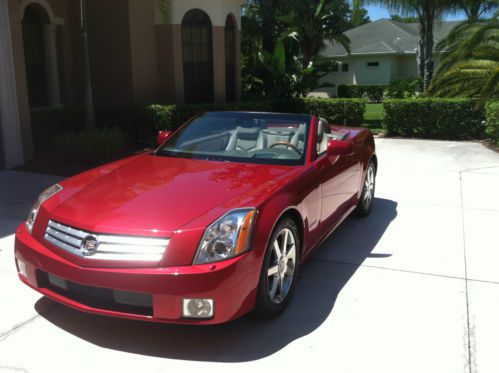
point(386, 37)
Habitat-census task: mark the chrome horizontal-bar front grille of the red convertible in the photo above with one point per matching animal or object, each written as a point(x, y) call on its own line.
point(108, 247)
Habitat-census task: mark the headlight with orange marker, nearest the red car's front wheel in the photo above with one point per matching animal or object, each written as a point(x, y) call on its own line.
point(227, 237)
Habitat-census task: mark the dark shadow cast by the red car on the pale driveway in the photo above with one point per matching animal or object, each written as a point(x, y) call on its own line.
point(248, 338)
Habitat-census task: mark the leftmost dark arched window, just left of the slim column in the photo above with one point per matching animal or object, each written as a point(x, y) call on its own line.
point(34, 54)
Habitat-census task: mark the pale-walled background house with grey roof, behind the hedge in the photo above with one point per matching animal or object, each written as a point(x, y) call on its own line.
point(380, 52)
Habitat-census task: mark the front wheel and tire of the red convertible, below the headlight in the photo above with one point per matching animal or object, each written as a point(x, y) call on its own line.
point(276, 290)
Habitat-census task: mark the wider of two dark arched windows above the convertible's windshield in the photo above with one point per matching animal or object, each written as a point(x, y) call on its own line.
point(197, 57)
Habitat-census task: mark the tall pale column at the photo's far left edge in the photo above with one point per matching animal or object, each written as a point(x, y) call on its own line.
point(9, 110)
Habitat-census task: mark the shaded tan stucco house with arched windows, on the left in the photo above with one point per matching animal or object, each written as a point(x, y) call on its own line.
point(140, 51)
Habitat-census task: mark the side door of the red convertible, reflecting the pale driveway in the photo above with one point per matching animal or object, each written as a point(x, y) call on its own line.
point(338, 177)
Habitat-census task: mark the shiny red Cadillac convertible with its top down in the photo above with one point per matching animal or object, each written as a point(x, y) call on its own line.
point(212, 224)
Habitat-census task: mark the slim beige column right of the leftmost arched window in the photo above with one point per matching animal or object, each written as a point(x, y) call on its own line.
point(52, 65)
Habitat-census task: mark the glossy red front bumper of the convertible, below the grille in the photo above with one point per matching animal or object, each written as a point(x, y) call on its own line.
point(231, 284)
